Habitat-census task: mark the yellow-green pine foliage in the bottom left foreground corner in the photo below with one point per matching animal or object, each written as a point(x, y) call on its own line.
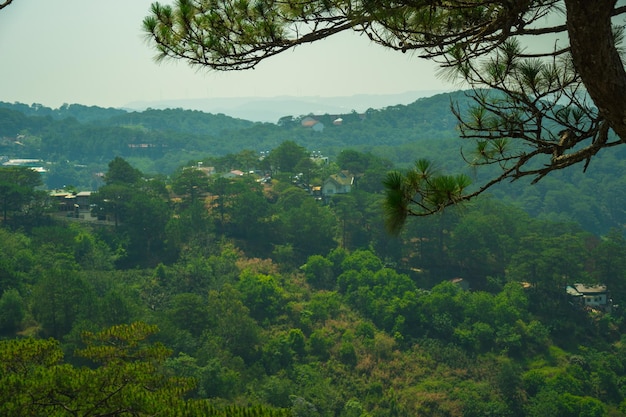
point(127, 380)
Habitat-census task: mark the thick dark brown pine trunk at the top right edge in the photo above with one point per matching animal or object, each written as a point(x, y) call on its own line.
point(597, 60)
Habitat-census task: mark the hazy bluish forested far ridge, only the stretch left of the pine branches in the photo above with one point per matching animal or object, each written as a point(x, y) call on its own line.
point(91, 134)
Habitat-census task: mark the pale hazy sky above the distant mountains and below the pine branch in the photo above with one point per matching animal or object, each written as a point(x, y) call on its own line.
point(93, 52)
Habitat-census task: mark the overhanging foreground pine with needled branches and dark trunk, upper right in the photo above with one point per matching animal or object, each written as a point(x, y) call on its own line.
point(546, 76)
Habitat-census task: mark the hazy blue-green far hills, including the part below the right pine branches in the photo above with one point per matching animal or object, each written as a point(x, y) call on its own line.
point(76, 141)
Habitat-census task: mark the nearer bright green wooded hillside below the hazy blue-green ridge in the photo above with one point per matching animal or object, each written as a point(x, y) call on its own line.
point(268, 301)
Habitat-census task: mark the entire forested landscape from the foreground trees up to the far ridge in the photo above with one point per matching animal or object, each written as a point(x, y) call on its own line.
point(190, 294)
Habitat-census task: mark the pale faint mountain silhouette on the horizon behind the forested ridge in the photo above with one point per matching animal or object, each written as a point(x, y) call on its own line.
point(271, 109)
